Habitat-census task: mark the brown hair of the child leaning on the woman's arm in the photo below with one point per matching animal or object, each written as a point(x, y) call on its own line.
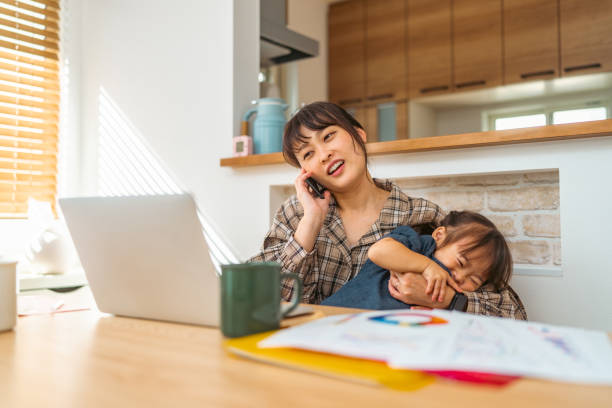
point(461, 224)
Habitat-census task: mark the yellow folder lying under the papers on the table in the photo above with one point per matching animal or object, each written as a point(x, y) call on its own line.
point(359, 370)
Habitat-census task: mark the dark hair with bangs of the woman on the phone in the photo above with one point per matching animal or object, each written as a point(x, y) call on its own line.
point(318, 116)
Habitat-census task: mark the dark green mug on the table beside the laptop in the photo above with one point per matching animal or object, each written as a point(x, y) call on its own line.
point(250, 298)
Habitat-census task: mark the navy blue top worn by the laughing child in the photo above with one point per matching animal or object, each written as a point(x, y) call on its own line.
point(370, 288)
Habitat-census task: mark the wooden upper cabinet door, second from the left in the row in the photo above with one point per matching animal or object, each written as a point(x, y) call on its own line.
point(385, 49)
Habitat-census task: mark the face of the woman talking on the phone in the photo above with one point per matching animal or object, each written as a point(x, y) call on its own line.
point(332, 157)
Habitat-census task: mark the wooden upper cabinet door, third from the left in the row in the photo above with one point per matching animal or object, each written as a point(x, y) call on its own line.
point(429, 47)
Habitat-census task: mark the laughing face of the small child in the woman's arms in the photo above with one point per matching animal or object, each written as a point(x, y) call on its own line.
point(468, 270)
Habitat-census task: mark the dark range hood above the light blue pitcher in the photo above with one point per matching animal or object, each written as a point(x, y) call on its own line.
point(277, 43)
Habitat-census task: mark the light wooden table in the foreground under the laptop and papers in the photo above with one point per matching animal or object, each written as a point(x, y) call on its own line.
point(88, 359)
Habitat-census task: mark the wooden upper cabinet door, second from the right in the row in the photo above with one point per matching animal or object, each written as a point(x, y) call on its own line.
point(531, 40)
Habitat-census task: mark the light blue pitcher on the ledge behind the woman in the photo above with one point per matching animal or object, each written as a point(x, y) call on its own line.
point(268, 126)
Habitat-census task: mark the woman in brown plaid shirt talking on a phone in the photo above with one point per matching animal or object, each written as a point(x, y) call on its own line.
point(325, 240)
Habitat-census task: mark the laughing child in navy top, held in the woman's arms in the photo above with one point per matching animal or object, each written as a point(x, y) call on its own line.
point(465, 252)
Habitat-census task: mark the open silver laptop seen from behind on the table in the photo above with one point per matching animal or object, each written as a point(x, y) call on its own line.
point(145, 257)
